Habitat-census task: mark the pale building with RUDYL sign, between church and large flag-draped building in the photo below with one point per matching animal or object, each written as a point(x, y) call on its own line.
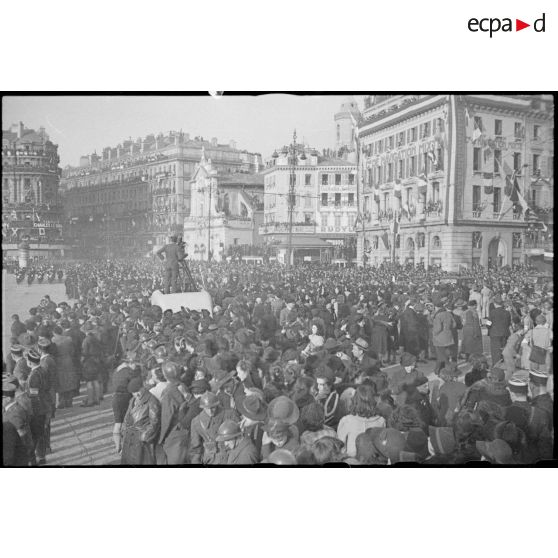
point(324, 209)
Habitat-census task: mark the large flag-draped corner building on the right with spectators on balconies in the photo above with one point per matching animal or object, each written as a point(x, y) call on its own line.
point(459, 177)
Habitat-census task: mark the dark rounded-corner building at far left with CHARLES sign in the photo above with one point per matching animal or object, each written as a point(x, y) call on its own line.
point(30, 199)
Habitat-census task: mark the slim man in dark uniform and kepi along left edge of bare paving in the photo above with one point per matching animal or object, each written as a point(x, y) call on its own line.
point(38, 390)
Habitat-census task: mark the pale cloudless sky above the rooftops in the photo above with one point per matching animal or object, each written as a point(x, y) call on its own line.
point(81, 124)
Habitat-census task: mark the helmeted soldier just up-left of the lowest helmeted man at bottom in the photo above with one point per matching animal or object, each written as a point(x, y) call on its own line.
point(205, 427)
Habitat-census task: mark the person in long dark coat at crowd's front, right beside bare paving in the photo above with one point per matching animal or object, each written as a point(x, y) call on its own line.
point(141, 425)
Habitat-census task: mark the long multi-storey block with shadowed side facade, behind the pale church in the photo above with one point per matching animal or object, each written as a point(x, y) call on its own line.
point(130, 198)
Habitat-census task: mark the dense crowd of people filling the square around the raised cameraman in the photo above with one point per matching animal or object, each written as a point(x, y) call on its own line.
point(306, 366)
